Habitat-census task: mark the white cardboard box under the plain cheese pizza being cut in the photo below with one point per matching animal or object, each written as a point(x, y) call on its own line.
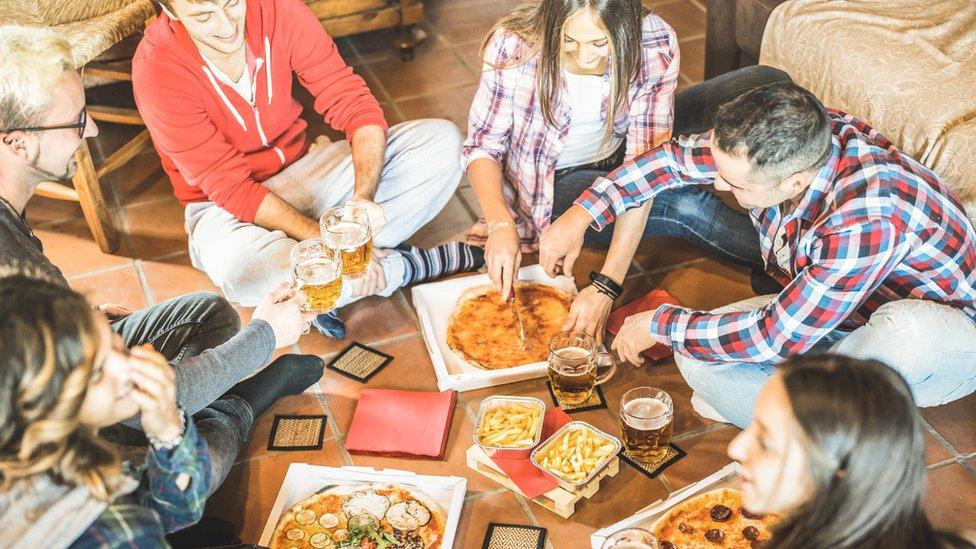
point(435, 303)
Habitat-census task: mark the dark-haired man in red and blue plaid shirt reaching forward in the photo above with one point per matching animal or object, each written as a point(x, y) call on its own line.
point(874, 252)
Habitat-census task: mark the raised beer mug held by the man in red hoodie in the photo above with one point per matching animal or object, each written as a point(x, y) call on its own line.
point(347, 229)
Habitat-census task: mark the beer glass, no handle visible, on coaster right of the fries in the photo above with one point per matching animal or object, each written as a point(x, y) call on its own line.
point(646, 420)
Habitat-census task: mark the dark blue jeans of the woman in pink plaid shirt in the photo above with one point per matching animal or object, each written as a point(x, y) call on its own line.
point(695, 214)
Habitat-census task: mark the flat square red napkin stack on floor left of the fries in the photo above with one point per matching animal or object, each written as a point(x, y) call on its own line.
point(401, 423)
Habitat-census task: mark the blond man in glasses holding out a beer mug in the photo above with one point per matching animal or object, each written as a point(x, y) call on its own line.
point(42, 124)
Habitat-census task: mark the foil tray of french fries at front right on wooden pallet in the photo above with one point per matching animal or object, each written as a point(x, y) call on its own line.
point(575, 454)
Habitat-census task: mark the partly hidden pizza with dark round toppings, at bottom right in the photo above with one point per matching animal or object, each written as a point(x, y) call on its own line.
point(713, 519)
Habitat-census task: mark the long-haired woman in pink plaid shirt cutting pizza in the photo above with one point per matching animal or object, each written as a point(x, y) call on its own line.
point(569, 90)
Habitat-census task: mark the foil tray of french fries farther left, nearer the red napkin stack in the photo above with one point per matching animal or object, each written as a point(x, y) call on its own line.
point(509, 427)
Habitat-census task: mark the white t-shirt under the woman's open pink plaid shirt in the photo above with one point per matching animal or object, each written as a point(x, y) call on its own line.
point(584, 142)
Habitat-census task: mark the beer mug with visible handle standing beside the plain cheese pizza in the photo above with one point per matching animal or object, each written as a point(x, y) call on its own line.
point(573, 363)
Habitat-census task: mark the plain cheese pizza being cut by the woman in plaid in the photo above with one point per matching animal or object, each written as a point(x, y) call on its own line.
point(484, 330)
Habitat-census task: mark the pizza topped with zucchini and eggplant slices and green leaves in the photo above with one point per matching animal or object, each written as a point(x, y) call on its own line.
point(373, 516)
